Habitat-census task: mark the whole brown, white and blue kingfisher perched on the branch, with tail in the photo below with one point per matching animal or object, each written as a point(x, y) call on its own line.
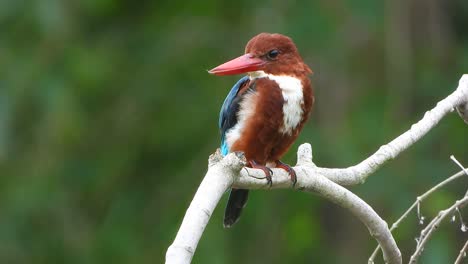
point(265, 110)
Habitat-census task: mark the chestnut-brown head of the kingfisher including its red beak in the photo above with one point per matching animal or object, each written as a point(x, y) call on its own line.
point(272, 53)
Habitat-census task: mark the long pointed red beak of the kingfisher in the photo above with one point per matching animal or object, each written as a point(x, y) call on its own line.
point(242, 64)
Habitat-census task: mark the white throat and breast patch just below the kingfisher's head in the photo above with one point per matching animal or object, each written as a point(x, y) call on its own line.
point(291, 89)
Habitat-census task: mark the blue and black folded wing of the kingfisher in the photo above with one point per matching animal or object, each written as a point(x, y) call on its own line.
point(228, 113)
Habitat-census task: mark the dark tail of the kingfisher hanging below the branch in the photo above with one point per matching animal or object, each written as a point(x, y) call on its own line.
point(237, 200)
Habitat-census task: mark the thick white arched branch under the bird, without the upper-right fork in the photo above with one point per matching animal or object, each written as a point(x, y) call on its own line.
point(221, 175)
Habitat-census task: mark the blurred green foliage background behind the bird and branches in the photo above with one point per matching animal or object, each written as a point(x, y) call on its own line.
point(108, 116)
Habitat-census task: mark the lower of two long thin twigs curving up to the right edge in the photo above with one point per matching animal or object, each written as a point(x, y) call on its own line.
point(427, 232)
